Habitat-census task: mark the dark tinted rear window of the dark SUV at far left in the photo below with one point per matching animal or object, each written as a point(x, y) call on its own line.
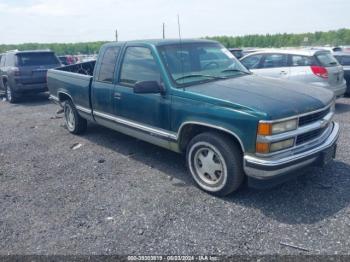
point(37, 59)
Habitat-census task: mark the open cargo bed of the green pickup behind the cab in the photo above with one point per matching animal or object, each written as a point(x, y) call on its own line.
point(74, 81)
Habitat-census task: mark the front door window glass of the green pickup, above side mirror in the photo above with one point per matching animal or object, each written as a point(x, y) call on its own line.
point(138, 65)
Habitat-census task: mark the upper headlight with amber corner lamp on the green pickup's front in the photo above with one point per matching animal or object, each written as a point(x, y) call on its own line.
point(267, 129)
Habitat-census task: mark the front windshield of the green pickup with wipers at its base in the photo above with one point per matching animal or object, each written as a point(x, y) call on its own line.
point(192, 63)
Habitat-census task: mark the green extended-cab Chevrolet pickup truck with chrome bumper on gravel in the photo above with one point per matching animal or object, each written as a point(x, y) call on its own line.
point(194, 97)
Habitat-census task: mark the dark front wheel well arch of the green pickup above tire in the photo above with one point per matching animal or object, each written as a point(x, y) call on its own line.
point(189, 131)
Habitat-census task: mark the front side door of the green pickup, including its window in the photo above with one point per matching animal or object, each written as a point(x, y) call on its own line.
point(139, 64)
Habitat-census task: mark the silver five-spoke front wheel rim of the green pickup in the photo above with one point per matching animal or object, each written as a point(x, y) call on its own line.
point(207, 166)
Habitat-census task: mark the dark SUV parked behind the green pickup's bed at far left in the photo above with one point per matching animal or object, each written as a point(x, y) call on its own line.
point(24, 72)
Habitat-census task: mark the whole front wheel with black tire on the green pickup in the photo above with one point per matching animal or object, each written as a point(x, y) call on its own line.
point(215, 163)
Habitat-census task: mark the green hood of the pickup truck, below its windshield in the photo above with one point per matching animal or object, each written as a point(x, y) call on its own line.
point(275, 97)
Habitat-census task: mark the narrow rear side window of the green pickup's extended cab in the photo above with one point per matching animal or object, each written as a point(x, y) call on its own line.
point(108, 64)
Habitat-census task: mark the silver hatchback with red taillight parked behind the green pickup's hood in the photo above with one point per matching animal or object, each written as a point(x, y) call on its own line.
point(316, 67)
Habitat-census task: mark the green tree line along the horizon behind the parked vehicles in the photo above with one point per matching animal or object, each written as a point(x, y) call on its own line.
point(333, 38)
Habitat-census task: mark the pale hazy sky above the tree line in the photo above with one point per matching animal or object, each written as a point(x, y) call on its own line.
point(49, 21)
